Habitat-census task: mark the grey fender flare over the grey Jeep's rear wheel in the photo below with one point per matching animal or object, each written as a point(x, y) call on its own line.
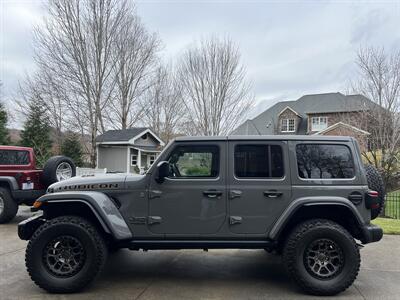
point(311, 201)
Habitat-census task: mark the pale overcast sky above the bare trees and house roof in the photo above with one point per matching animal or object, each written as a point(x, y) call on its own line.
point(290, 48)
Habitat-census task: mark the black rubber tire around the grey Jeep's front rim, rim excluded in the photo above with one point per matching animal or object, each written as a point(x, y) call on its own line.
point(79, 228)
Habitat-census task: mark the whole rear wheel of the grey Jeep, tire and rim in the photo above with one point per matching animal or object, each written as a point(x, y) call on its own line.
point(322, 257)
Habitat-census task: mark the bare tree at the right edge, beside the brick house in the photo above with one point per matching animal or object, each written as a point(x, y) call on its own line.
point(379, 80)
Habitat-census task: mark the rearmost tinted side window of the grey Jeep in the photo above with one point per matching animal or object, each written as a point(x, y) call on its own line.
point(324, 161)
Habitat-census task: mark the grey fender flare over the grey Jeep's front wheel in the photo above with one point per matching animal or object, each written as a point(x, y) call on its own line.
point(100, 204)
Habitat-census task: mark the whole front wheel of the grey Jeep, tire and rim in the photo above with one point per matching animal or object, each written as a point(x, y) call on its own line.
point(65, 254)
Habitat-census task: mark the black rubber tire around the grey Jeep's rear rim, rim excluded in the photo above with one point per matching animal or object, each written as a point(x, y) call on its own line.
point(294, 257)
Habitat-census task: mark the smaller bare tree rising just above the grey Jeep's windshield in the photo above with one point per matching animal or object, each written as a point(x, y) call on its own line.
point(164, 110)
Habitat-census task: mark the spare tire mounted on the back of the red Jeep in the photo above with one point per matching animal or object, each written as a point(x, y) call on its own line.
point(58, 168)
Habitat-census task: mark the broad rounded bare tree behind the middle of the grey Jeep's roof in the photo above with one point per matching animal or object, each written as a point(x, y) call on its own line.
point(214, 87)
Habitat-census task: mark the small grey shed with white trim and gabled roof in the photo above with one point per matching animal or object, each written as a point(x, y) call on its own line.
point(130, 150)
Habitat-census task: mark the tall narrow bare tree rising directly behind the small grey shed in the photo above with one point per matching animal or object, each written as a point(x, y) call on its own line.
point(135, 56)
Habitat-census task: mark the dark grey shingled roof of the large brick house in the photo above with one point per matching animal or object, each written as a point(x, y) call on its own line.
point(267, 121)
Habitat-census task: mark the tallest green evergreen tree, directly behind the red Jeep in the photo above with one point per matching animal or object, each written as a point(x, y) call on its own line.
point(36, 132)
